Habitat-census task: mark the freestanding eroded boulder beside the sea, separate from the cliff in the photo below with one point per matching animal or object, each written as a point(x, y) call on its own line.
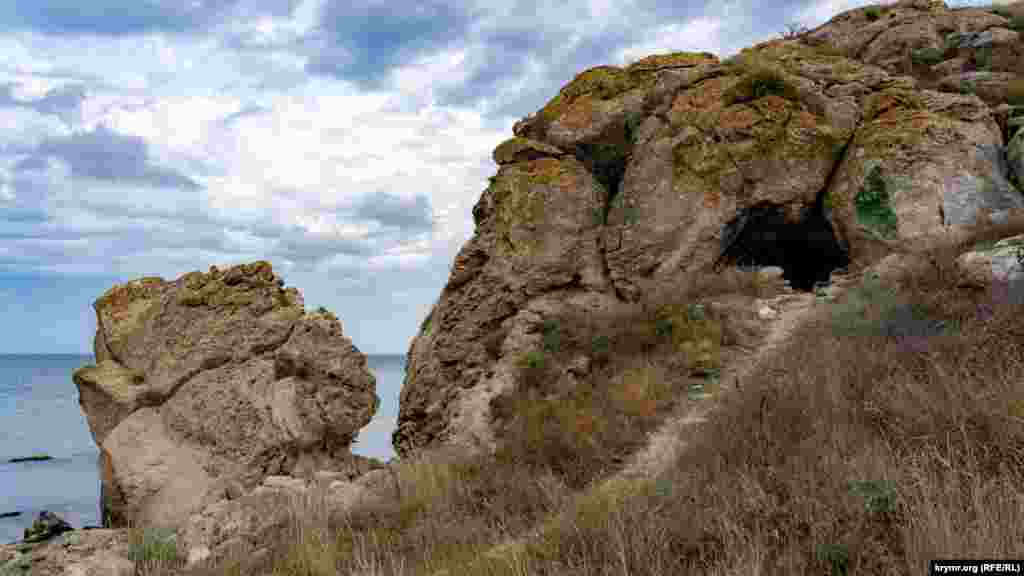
point(210, 384)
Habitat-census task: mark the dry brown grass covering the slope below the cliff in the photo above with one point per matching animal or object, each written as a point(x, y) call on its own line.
point(867, 446)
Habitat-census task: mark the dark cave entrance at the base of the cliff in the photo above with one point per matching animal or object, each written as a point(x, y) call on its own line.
point(807, 252)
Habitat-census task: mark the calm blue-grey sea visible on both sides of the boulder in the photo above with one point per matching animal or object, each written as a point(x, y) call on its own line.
point(39, 414)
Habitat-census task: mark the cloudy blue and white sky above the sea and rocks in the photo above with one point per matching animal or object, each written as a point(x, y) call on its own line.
point(345, 142)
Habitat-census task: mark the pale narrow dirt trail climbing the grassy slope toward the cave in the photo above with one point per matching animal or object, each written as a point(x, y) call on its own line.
point(665, 445)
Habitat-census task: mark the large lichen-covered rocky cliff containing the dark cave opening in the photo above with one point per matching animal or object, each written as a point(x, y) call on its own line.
point(810, 153)
